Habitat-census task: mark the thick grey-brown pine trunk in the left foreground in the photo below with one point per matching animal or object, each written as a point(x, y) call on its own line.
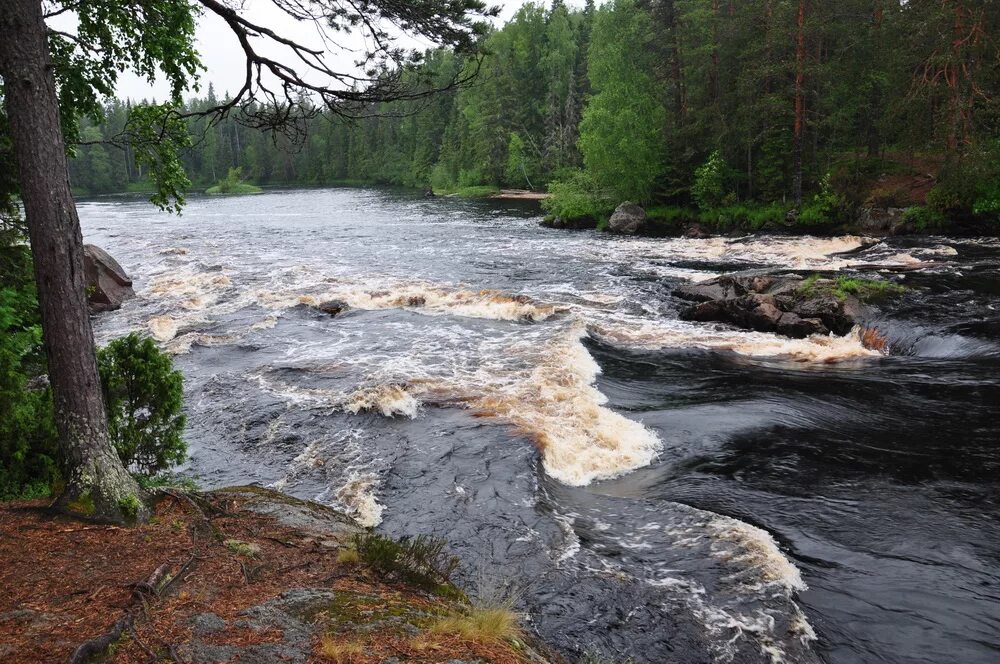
point(97, 485)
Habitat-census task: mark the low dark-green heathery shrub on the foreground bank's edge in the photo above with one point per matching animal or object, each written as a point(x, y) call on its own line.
point(421, 560)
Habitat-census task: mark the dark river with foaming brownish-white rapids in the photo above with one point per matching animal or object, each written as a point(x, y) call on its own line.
point(656, 490)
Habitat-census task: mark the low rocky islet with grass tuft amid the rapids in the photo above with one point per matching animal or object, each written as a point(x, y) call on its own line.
point(786, 305)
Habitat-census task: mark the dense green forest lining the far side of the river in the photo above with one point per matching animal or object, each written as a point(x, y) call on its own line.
point(699, 103)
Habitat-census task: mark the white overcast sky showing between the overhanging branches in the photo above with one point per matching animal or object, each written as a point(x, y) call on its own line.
point(223, 59)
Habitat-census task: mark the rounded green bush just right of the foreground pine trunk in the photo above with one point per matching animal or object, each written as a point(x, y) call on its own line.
point(143, 396)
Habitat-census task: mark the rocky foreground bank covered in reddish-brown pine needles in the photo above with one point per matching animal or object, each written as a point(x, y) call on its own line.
point(240, 574)
